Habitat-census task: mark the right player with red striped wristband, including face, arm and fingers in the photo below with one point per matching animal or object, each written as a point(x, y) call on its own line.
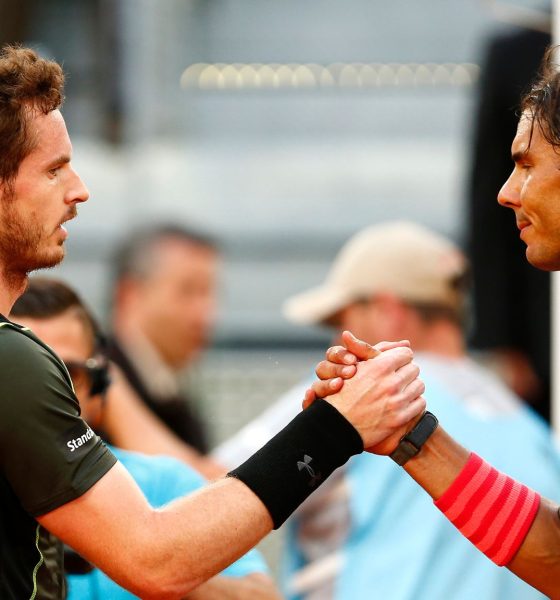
point(503, 518)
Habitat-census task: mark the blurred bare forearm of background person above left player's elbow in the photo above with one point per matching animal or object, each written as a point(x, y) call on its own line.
point(132, 426)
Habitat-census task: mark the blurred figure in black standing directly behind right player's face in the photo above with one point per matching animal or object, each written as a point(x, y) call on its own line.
point(511, 298)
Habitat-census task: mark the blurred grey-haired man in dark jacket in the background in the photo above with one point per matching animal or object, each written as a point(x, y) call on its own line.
point(163, 311)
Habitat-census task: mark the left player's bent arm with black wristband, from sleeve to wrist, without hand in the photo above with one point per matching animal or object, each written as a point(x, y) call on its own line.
point(169, 552)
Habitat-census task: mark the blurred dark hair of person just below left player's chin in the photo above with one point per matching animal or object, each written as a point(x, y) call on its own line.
point(45, 298)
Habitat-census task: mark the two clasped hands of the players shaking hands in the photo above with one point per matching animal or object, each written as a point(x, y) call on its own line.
point(376, 388)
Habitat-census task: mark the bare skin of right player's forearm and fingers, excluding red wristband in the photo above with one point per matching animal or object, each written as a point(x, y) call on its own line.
point(439, 463)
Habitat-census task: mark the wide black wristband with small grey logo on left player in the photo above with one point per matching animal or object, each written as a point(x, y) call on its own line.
point(286, 470)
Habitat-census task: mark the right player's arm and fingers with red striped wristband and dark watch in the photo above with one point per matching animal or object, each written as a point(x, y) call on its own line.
point(510, 523)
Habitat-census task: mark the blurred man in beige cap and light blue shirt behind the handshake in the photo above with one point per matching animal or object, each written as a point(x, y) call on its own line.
point(371, 530)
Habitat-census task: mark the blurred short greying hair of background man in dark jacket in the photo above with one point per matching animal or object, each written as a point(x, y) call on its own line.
point(134, 257)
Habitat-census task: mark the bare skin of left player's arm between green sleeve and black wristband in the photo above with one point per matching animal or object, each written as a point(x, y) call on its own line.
point(162, 553)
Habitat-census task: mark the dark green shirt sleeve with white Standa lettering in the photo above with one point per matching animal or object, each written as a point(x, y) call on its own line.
point(48, 453)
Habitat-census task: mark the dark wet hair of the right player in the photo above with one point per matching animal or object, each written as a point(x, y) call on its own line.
point(542, 101)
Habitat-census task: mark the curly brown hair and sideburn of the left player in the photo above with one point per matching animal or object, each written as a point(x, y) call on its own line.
point(26, 82)
